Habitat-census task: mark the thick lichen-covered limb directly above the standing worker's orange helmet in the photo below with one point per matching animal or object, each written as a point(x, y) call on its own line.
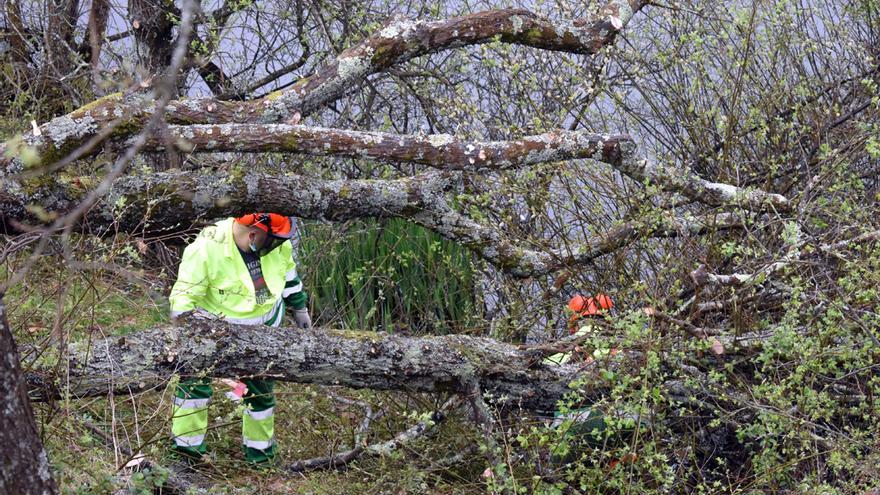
point(163, 200)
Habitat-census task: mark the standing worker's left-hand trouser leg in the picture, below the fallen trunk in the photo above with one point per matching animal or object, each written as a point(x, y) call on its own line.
point(189, 416)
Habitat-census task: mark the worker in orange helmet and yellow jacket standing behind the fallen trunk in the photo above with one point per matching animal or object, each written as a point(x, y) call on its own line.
point(240, 270)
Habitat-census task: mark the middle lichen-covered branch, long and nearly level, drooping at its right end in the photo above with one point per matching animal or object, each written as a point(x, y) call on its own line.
point(446, 152)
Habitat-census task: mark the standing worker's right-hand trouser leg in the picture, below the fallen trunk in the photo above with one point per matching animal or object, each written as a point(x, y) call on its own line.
point(258, 421)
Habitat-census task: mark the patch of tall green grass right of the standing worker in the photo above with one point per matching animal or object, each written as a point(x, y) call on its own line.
point(387, 275)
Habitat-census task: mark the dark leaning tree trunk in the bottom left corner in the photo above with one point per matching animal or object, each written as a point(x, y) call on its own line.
point(24, 466)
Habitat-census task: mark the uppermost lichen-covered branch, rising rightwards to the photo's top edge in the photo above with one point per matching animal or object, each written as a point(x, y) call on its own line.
point(397, 42)
